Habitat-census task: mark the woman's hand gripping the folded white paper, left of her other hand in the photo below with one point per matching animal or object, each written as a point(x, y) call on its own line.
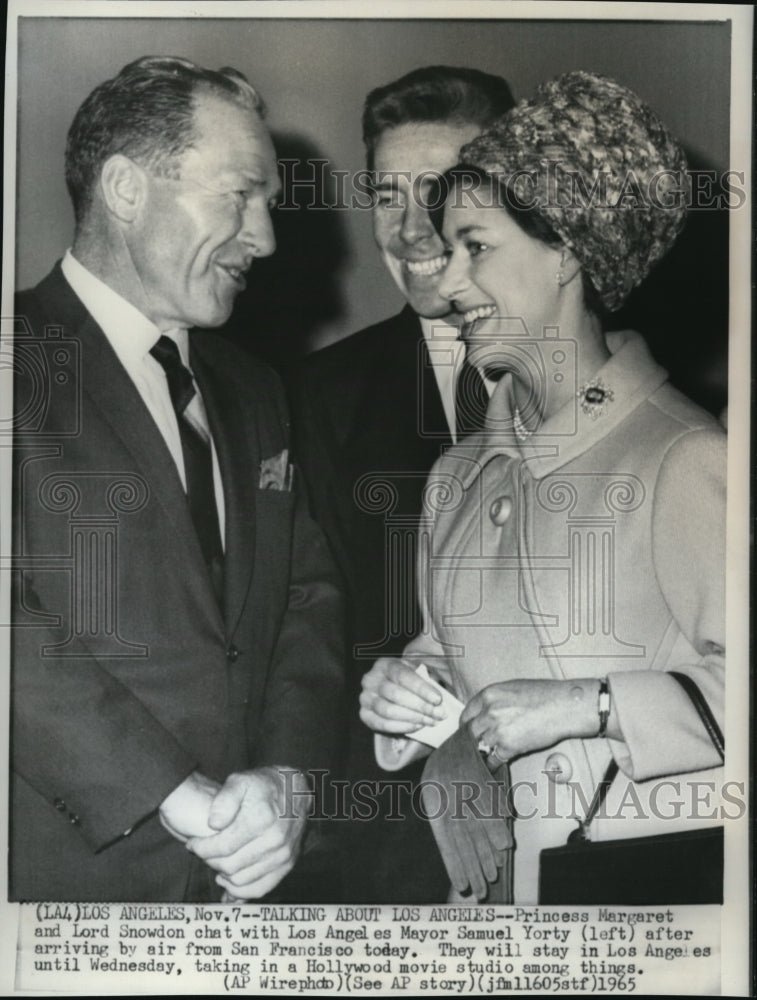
point(395, 700)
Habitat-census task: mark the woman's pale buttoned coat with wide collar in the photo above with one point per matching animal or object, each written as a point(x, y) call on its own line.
point(594, 548)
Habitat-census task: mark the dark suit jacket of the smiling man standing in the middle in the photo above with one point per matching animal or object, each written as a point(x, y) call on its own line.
point(368, 424)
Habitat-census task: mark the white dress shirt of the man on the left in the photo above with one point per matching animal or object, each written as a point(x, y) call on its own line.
point(132, 336)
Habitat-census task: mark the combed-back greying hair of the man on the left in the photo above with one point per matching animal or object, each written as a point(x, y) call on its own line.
point(146, 113)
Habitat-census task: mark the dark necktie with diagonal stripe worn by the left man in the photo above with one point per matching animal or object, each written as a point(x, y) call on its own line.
point(198, 461)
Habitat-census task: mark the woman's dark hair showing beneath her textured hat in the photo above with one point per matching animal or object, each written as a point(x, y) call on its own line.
point(499, 192)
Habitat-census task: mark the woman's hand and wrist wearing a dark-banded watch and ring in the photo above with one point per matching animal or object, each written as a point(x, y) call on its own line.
point(517, 717)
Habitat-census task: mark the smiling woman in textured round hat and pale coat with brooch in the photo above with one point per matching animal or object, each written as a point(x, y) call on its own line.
point(575, 548)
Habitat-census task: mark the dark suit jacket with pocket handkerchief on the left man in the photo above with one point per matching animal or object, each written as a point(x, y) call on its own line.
point(126, 674)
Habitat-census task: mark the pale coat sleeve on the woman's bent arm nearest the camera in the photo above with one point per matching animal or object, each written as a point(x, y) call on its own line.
point(662, 731)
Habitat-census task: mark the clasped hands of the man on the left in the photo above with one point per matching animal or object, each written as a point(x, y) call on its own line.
point(249, 829)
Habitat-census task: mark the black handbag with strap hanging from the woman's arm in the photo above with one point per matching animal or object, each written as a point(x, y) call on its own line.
point(671, 868)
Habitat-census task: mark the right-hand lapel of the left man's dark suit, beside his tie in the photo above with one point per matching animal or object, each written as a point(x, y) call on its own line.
point(239, 459)
